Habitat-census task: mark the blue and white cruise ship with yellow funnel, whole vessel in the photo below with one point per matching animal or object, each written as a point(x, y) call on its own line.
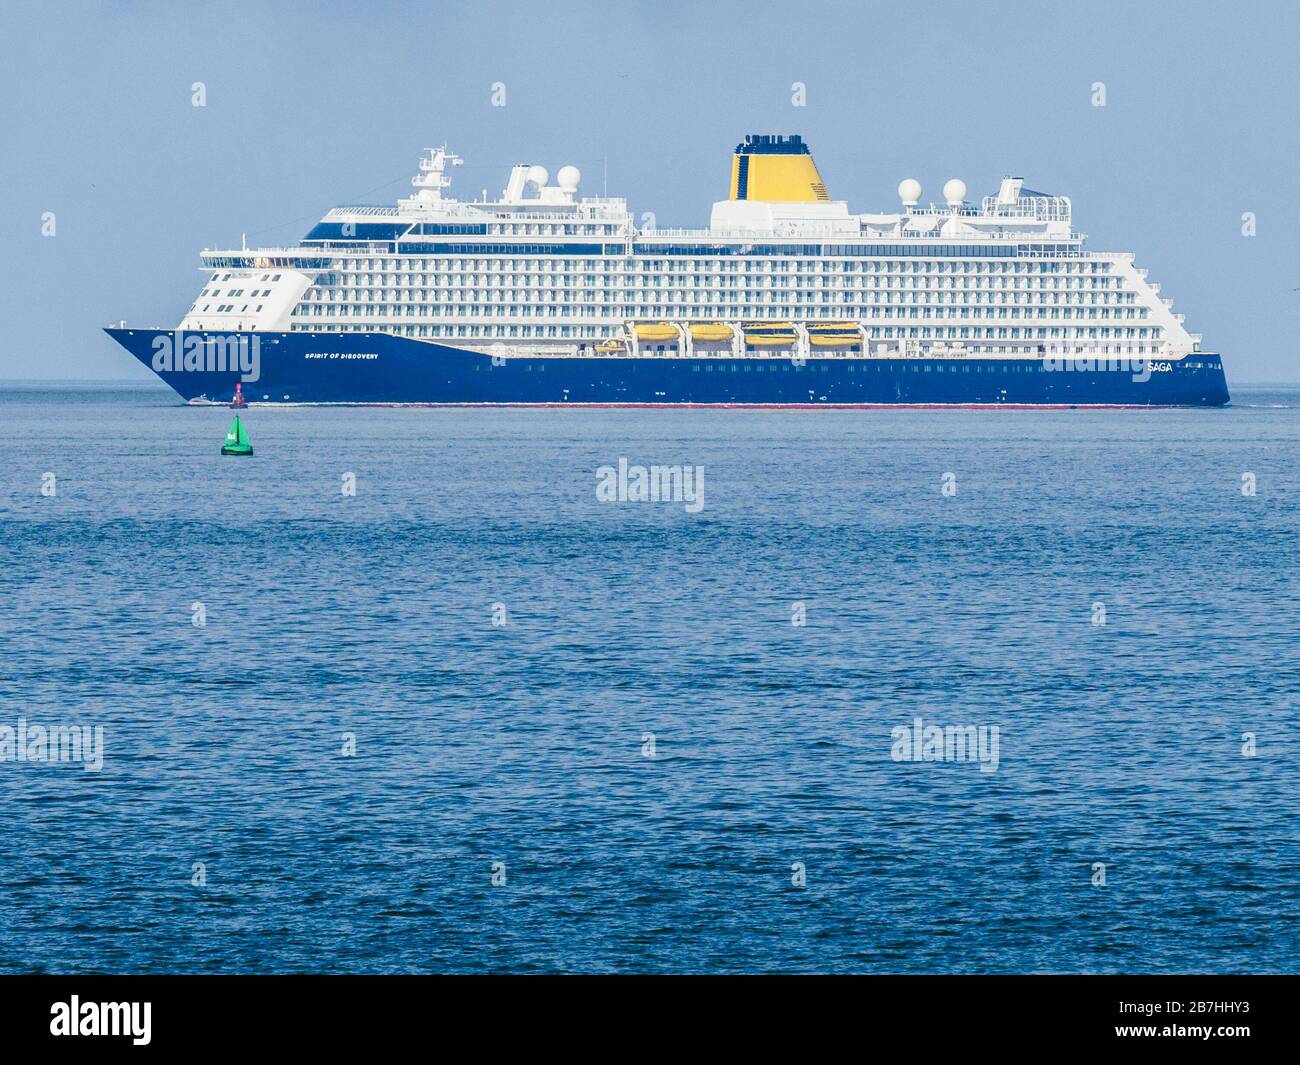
point(548, 297)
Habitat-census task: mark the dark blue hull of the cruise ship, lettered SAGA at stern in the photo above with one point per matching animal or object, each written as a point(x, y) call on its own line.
point(380, 369)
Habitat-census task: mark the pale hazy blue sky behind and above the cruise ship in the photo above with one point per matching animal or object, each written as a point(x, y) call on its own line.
point(314, 105)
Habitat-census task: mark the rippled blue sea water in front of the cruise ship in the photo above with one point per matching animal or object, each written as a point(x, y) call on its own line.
point(527, 744)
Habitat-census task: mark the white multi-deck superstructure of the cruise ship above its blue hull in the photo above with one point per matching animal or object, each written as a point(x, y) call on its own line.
point(544, 269)
